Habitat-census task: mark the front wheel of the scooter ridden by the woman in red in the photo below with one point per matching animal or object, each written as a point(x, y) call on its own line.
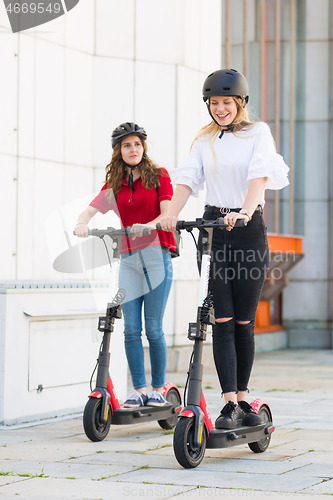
point(95, 429)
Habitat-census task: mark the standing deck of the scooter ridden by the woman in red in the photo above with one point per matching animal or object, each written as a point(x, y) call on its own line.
point(126, 416)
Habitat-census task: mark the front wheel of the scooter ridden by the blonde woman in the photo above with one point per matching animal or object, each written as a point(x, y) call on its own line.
point(188, 455)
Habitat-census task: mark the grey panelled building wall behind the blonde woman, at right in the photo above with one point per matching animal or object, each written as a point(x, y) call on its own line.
point(285, 48)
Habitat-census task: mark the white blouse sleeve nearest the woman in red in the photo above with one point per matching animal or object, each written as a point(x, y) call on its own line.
point(190, 171)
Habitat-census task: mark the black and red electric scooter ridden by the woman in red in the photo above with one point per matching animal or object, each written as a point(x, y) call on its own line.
point(103, 407)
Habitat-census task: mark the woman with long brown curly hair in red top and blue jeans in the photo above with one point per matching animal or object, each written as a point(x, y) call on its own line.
point(139, 192)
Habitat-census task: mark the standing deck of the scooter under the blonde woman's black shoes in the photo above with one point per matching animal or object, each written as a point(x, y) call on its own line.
point(226, 438)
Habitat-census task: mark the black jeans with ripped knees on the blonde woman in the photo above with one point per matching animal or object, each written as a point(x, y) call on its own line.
point(239, 266)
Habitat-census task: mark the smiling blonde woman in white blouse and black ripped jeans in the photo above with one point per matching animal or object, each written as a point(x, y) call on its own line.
point(237, 161)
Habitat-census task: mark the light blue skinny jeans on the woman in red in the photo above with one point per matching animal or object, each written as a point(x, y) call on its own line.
point(146, 276)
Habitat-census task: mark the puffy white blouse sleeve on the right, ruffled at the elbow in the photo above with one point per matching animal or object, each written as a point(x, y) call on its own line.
point(266, 162)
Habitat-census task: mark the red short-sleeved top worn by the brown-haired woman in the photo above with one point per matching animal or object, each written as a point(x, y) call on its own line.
point(139, 207)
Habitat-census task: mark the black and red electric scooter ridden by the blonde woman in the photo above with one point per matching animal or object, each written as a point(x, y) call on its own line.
point(195, 431)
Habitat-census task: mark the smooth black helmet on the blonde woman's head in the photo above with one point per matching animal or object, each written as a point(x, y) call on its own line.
point(226, 82)
